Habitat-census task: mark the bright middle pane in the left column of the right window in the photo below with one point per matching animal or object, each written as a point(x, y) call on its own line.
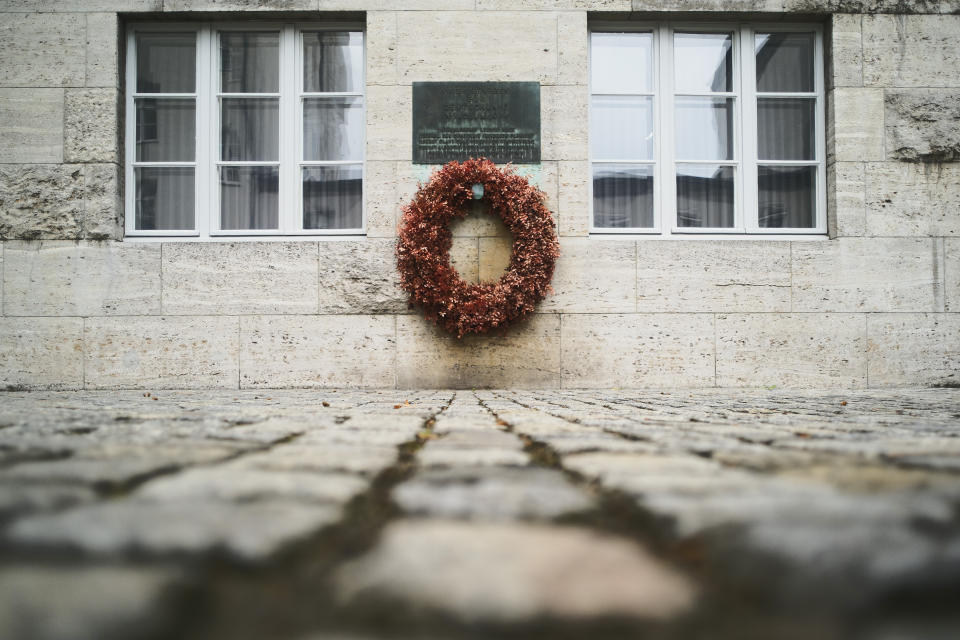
point(621, 128)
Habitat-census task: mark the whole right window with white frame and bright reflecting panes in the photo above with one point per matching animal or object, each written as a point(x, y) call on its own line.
point(707, 129)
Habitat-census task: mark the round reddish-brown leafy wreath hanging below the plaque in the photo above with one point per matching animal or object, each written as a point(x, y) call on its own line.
point(423, 248)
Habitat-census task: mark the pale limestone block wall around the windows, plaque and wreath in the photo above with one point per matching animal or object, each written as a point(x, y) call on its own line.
point(875, 304)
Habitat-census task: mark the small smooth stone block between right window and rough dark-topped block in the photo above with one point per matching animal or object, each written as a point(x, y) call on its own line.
point(855, 132)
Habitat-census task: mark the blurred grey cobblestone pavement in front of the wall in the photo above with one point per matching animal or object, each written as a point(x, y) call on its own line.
point(312, 515)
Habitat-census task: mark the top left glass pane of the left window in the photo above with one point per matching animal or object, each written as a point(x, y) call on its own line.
point(166, 62)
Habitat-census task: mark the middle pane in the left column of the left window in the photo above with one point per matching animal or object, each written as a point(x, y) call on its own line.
point(166, 130)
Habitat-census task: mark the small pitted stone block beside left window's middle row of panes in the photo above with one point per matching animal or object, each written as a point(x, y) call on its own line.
point(90, 125)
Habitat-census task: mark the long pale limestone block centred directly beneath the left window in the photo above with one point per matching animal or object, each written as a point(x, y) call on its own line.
point(239, 277)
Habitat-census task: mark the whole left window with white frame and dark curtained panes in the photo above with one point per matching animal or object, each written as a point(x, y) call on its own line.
point(244, 130)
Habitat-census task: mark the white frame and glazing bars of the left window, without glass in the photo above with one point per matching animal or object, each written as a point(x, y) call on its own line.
point(207, 161)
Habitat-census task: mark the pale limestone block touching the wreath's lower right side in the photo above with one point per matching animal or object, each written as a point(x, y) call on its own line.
point(594, 275)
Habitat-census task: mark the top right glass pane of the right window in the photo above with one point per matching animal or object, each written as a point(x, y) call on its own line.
point(784, 61)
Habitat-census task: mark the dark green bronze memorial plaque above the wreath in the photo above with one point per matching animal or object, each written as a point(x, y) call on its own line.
point(461, 120)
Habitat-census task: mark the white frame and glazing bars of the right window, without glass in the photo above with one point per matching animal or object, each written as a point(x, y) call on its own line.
point(746, 189)
